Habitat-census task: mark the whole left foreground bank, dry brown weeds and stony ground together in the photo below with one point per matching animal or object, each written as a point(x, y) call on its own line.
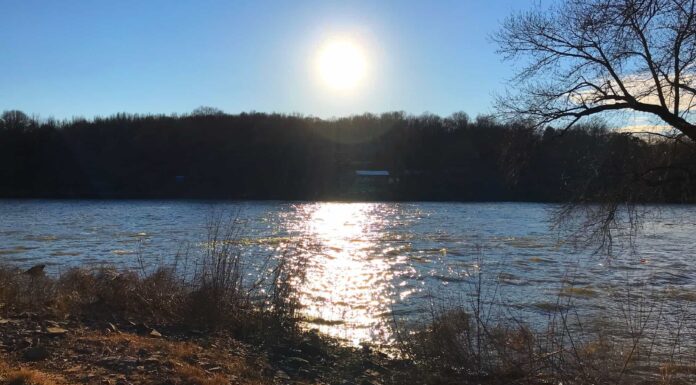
point(110, 327)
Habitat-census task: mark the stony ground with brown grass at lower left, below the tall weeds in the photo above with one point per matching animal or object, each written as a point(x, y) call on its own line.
point(36, 349)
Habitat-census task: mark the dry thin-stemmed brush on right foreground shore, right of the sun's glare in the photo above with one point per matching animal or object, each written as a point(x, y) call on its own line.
point(645, 340)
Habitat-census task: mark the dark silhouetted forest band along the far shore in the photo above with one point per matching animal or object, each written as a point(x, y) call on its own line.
point(210, 154)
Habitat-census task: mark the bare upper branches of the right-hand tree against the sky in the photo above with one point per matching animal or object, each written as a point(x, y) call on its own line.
point(587, 57)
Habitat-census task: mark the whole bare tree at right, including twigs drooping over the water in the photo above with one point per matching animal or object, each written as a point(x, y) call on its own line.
point(592, 58)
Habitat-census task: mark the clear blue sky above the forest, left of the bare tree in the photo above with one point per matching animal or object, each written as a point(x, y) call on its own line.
point(85, 58)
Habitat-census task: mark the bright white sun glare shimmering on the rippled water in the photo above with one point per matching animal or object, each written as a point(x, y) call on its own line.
point(348, 284)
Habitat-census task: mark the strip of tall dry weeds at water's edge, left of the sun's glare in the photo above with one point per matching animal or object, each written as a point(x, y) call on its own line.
point(214, 296)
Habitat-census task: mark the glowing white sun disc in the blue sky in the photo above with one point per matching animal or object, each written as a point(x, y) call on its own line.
point(342, 64)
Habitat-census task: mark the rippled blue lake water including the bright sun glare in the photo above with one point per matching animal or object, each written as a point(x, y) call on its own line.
point(369, 261)
